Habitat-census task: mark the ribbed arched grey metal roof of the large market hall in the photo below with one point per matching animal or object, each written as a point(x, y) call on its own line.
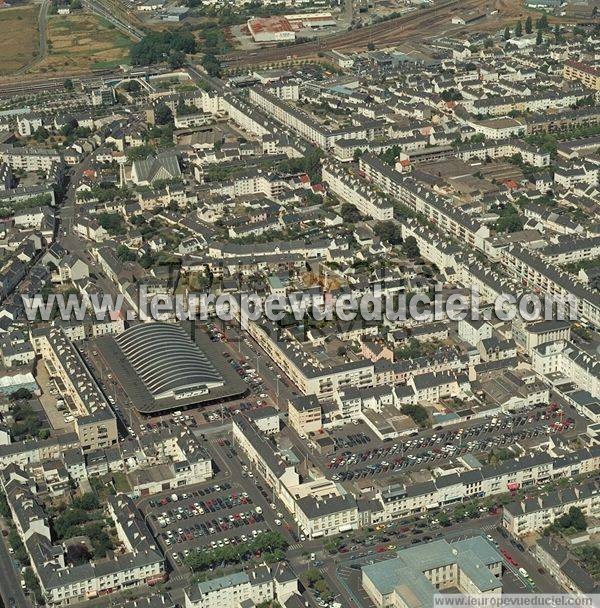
point(166, 359)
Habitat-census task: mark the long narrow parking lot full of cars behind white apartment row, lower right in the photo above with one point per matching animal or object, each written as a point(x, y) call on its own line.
point(352, 461)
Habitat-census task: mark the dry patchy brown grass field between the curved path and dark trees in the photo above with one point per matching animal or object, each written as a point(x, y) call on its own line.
point(81, 41)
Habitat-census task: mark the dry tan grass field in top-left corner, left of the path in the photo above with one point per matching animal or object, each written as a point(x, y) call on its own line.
point(19, 39)
